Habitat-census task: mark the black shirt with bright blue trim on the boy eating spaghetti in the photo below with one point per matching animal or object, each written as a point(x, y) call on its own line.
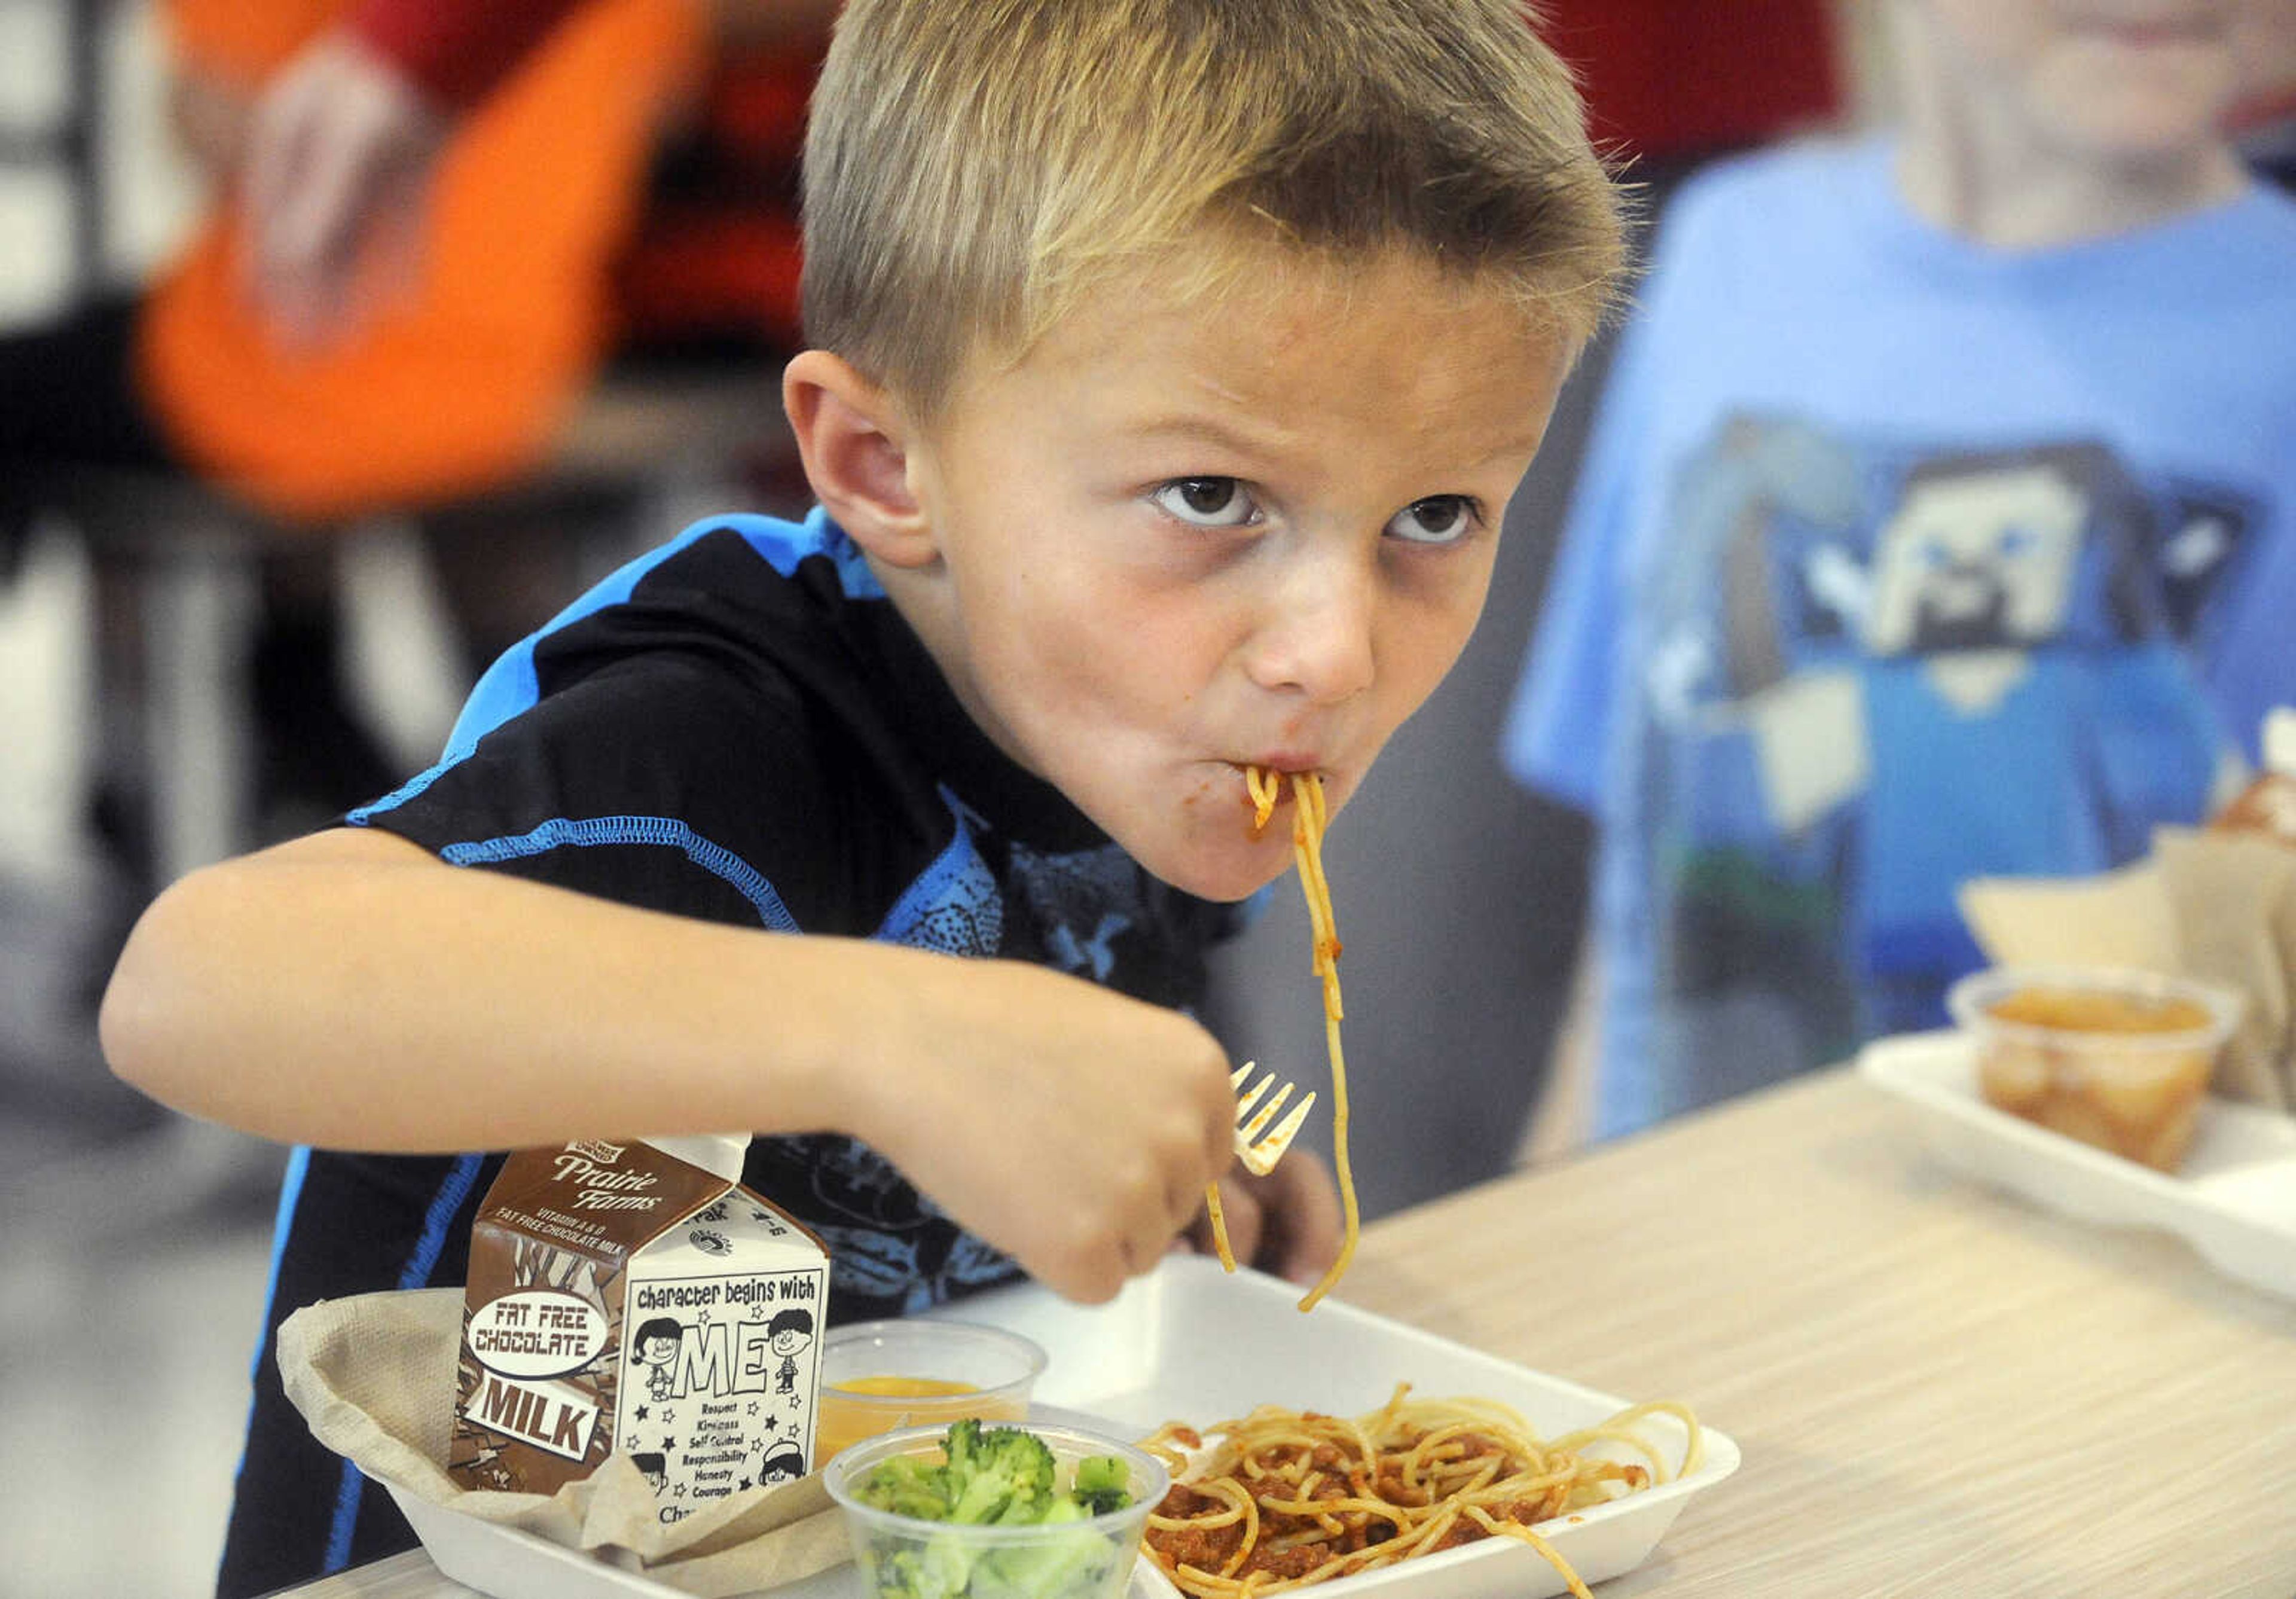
point(736, 727)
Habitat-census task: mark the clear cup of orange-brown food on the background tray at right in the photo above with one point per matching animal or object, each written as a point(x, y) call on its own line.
point(2113, 1058)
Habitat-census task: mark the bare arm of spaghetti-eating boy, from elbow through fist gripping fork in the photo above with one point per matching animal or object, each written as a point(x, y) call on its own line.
point(350, 991)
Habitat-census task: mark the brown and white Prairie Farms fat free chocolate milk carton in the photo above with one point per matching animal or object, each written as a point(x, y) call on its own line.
point(635, 1297)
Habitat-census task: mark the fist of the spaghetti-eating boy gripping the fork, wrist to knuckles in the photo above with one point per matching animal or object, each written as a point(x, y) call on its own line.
point(1066, 1125)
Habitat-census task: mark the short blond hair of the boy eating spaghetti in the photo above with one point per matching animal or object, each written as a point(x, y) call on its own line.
point(975, 167)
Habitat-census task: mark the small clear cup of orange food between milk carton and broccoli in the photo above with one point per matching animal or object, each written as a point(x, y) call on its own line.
point(920, 1373)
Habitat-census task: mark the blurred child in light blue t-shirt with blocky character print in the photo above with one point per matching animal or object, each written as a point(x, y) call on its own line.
point(1937, 523)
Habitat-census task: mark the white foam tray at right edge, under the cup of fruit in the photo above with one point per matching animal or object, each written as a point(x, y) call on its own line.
point(2233, 1198)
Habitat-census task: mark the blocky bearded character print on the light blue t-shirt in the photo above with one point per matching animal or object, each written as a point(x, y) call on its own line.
point(1875, 672)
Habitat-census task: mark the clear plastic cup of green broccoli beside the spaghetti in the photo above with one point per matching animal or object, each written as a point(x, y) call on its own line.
point(968, 1511)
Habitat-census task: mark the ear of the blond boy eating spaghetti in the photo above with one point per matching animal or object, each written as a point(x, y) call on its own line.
point(855, 445)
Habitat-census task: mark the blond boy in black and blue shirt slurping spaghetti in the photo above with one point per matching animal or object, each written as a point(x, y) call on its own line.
point(1172, 364)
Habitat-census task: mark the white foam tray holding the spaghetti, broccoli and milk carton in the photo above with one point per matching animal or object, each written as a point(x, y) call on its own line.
point(1197, 1345)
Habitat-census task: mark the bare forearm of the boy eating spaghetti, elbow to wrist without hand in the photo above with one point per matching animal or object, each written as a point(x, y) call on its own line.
point(352, 991)
